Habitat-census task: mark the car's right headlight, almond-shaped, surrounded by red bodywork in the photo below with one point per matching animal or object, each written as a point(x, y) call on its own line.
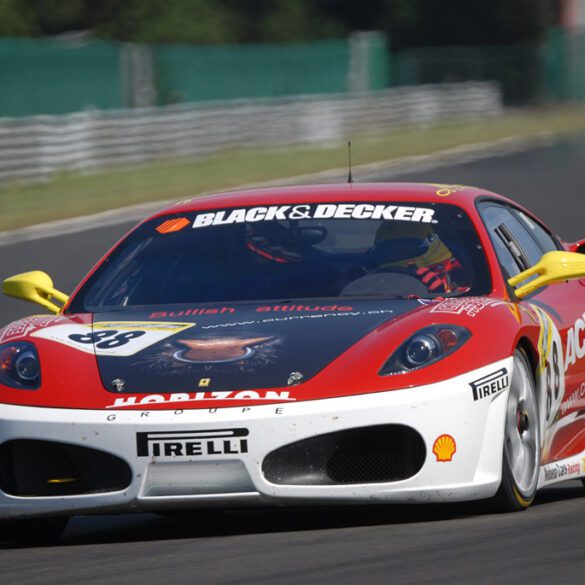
point(426, 347)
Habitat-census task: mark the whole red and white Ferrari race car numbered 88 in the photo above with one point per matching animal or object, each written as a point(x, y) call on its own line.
point(324, 344)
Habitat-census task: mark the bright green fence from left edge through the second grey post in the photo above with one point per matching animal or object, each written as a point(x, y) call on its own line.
point(39, 76)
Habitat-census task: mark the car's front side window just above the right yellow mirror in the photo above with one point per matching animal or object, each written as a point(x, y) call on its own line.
point(515, 247)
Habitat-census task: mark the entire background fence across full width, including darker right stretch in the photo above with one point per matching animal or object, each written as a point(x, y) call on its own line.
point(40, 76)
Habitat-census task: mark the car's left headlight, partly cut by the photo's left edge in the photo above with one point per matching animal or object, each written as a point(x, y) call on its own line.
point(20, 366)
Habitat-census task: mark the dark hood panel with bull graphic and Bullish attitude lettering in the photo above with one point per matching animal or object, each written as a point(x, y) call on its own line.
point(243, 347)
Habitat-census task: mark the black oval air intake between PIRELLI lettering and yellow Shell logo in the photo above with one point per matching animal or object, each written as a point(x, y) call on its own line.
point(376, 454)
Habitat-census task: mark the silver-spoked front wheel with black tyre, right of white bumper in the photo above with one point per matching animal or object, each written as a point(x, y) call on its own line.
point(521, 460)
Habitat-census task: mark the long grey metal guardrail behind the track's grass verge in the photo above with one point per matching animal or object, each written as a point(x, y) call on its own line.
point(33, 148)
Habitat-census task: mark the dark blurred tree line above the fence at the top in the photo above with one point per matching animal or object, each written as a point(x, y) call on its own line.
point(408, 23)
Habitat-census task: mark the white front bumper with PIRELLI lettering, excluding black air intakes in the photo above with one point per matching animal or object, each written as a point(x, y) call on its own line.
point(228, 471)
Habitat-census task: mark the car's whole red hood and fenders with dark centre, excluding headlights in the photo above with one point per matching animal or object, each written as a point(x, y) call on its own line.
point(245, 354)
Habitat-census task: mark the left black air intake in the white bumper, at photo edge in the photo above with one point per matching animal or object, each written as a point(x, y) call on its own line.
point(31, 468)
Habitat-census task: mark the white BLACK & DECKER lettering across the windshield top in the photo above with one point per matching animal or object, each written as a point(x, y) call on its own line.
point(322, 211)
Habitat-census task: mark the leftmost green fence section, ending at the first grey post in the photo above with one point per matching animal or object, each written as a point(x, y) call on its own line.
point(56, 77)
